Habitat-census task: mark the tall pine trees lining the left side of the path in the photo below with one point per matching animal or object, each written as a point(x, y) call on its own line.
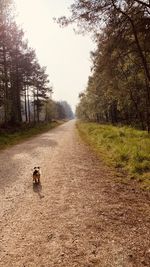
point(25, 91)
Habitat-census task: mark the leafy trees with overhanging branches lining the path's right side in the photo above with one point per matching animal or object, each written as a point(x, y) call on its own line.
point(118, 90)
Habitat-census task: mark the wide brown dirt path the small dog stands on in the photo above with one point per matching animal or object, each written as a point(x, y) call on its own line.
point(78, 217)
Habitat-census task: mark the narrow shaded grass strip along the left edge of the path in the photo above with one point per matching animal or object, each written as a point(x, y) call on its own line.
point(12, 136)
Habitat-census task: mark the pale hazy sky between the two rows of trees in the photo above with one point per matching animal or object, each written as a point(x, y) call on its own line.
point(66, 54)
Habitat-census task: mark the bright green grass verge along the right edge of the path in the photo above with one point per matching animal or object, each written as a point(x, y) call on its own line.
point(124, 148)
